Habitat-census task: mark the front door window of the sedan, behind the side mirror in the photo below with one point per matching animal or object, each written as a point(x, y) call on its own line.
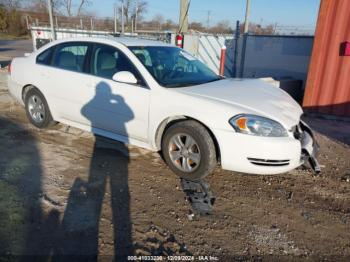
point(107, 60)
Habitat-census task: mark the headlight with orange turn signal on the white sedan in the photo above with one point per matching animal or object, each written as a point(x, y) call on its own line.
point(257, 126)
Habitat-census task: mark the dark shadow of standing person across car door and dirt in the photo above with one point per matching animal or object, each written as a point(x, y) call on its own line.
point(80, 224)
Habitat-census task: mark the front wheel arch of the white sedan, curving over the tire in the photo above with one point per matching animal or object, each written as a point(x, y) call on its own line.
point(169, 121)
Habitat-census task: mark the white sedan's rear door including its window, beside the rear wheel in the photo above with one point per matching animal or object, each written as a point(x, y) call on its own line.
point(64, 81)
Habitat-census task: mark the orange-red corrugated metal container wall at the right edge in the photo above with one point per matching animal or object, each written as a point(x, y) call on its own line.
point(328, 84)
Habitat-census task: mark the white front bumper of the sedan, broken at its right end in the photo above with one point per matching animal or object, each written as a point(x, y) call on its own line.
point(265, 155)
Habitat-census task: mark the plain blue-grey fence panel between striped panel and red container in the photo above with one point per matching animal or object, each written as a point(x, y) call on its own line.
point(280, 57)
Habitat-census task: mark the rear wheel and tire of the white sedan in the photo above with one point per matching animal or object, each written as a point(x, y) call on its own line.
point(37, 109)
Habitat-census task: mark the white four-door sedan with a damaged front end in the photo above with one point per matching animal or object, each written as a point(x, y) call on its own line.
point(157, 96)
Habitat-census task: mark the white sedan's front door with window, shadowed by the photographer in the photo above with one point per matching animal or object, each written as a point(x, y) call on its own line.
point(116, 107)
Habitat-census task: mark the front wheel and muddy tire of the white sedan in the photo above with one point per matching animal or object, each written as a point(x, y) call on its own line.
point(189, 150)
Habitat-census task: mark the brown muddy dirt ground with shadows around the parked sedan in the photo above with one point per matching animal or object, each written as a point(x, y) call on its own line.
point(63, 192)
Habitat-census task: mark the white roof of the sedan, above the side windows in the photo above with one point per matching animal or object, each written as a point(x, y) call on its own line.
point(127, 41)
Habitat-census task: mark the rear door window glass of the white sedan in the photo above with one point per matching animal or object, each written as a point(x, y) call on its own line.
point(71, 56)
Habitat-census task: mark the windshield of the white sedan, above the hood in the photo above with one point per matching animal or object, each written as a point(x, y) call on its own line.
point(173, 67)
